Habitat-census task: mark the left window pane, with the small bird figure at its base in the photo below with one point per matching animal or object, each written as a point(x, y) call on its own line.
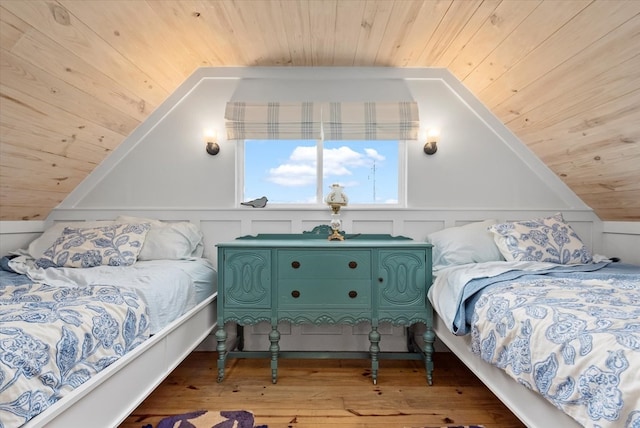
point(285, 171)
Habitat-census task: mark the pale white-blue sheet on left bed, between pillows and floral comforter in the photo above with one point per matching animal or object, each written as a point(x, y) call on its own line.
point(169, 287)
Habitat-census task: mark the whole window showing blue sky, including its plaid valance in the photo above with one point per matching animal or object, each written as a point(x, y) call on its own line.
point(284, 156)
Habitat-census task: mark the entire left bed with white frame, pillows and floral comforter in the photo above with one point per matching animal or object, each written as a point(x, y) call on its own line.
point(94, 315)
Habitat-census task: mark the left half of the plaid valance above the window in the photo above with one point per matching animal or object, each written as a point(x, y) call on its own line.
point(272, 121)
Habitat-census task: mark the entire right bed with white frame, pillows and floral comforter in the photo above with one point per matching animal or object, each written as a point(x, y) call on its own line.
point(553, 330)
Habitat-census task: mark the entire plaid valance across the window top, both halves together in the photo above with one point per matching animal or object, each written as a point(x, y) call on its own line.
point(312, 121)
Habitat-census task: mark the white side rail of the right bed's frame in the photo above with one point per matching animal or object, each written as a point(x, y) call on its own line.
point(531, 408)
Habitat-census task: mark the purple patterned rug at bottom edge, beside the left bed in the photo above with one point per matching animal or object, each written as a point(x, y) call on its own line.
point(209, 419)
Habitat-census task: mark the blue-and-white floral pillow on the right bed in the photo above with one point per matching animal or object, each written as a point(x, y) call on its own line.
point(544, 240)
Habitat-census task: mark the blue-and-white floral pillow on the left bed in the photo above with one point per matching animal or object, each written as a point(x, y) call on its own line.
point(113, 245)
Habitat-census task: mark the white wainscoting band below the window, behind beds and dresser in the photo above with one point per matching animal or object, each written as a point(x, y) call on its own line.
point(227, 224)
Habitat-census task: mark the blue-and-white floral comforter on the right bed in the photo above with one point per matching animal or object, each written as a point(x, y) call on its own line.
point(574, 337)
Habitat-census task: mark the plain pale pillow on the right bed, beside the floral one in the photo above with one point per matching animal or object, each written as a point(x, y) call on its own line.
point(471, 243)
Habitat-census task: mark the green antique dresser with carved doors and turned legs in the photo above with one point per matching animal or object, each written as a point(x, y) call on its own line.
point(305, 278)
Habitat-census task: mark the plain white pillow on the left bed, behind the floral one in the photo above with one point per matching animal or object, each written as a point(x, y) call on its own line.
point(168, 241)
